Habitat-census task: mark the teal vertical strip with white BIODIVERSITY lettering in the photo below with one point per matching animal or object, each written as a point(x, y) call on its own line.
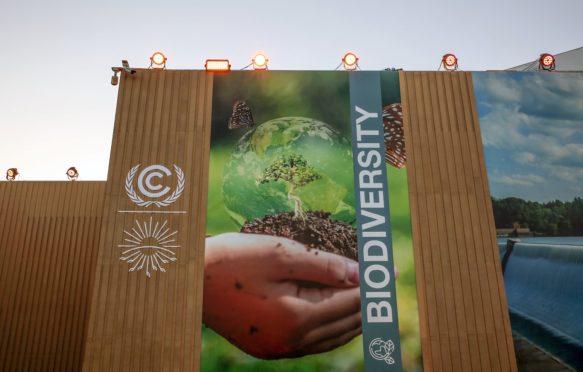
point(378, 297)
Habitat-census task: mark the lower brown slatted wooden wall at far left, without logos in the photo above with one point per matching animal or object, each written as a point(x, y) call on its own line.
point(49, 235)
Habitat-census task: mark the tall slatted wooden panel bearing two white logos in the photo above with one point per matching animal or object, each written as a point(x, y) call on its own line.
point(137, 322)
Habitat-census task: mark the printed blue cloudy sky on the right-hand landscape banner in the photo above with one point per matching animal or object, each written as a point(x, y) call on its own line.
point(532, 131)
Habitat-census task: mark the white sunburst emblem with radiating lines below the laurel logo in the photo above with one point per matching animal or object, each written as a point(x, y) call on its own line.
point(149, 247)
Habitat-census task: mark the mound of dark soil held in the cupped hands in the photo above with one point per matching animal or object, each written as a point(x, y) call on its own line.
point(318, 231)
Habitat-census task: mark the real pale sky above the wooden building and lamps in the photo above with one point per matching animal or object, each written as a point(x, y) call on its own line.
point(57, 105)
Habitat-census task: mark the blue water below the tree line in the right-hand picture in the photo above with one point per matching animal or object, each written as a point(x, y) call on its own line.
point(544, 288)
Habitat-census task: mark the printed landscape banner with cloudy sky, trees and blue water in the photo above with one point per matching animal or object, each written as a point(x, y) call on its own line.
point(532, 131)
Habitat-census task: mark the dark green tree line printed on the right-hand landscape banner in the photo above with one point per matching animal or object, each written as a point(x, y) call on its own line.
point(551, 218)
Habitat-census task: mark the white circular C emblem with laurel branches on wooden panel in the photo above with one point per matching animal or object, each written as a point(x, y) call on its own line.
point(149, 189)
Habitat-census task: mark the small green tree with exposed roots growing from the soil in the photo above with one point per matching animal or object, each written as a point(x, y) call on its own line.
point(295, 171)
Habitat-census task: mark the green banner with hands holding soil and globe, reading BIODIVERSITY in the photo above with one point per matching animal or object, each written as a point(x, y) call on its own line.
point(308, 261)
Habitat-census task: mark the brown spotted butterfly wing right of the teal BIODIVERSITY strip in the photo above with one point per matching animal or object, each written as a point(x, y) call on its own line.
point(395, 152)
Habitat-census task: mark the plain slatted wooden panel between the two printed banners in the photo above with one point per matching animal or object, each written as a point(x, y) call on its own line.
point(463, 313)
